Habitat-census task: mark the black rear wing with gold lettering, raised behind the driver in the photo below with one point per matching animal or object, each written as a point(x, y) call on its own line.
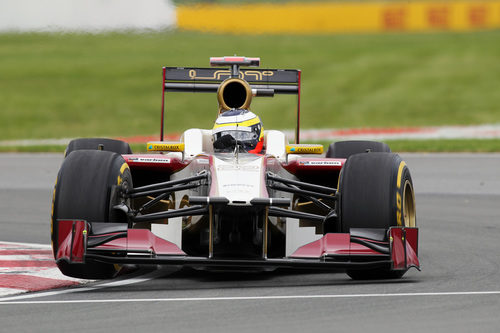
point(263, 82)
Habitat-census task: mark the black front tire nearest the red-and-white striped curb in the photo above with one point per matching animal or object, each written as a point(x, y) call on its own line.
point(83, 191)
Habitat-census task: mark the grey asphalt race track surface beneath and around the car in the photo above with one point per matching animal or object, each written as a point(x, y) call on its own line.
point(458, 289)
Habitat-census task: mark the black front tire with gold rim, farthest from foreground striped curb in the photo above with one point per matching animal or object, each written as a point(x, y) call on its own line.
point(376, 191)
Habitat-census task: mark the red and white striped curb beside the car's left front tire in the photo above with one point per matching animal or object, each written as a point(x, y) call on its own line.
point(30, 267)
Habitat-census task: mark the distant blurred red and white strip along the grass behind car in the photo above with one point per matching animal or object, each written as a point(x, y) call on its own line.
point(488, 131)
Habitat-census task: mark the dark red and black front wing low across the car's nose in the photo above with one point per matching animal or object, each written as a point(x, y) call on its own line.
point(119, 245)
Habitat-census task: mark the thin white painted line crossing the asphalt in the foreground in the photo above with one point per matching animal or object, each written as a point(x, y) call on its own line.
point(249, 298)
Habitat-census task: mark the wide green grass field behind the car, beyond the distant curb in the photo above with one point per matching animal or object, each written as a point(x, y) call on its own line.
point(81, 85)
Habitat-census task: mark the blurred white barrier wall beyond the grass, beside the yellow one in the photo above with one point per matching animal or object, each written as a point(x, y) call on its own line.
point(85, 15)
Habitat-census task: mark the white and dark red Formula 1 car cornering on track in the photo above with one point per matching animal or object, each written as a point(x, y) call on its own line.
point(234, 197)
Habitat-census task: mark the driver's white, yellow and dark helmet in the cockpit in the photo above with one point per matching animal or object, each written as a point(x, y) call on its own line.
point(244, 126)
